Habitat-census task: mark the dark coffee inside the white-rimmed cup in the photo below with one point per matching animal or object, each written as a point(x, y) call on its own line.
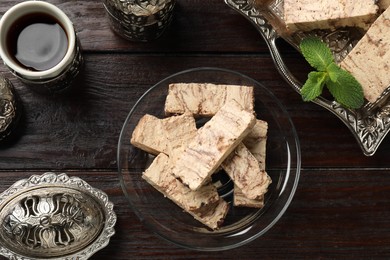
point(37, 41)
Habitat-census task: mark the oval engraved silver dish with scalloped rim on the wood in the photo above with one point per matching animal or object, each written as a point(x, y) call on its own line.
point(53, 216)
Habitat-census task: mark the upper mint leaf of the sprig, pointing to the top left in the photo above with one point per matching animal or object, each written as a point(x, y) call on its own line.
point(316, 52)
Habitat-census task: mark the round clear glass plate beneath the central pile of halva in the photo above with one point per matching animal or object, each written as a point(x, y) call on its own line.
point(241, 225)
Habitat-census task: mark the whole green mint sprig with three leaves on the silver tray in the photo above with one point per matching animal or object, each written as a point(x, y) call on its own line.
point(341, 84)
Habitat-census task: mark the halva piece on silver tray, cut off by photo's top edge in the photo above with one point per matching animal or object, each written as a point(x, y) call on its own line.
point(307, 15)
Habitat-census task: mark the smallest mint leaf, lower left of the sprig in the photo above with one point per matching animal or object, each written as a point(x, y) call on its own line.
point(313, 86)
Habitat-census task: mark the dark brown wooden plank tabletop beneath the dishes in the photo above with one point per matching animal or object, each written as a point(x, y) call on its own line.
point(342, 205)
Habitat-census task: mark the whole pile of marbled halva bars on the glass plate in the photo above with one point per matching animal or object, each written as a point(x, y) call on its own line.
point(186, 156)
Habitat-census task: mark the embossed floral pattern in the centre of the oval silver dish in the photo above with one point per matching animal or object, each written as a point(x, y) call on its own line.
point(47, 222)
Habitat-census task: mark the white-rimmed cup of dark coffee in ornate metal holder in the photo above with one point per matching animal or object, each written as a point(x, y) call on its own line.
point(39, 45)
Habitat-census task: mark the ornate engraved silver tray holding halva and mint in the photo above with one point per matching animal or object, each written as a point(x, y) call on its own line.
point(369, 124)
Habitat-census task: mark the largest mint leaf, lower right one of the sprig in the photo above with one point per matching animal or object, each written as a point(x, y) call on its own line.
point(345, 88)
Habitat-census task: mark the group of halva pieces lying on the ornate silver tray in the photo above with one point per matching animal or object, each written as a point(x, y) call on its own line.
point(369, 60)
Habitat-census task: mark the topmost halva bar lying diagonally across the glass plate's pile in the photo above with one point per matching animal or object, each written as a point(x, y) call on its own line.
point(213, 143)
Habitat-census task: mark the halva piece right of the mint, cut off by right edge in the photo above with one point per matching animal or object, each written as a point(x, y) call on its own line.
point(369, 60)
